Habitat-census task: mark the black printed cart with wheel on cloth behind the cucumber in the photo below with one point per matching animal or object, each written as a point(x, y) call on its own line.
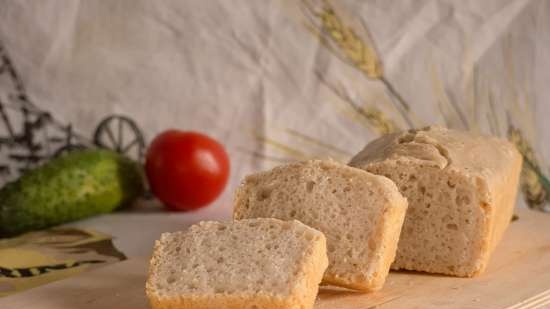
point(29, 135)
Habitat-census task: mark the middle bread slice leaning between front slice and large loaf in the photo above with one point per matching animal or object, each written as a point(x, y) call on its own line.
point(360, 214)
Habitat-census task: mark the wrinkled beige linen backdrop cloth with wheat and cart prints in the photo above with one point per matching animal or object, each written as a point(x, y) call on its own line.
point(274, 81)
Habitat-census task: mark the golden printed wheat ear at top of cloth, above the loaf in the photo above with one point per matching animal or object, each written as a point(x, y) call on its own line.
point(354, 51)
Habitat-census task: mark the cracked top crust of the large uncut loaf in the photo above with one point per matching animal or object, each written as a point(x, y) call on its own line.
point(475, 155)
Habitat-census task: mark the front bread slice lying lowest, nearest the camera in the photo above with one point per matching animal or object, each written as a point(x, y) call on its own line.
point(252, 264)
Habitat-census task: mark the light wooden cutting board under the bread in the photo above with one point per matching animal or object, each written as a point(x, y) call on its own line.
point(518, 278)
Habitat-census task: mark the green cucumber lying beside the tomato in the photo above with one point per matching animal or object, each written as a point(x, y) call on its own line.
point(71, 187)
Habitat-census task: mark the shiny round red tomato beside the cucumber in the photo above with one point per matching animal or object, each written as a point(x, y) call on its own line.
point(186, 170)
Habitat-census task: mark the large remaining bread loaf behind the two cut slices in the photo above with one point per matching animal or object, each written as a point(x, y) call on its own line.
point(461, 190)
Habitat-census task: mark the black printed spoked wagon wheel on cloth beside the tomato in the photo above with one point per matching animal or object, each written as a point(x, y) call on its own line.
point(121, 134)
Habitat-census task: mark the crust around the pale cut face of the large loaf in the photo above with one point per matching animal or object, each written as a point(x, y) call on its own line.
point(489, 165)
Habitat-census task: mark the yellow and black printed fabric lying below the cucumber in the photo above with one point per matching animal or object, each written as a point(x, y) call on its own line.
point(41, 257)
